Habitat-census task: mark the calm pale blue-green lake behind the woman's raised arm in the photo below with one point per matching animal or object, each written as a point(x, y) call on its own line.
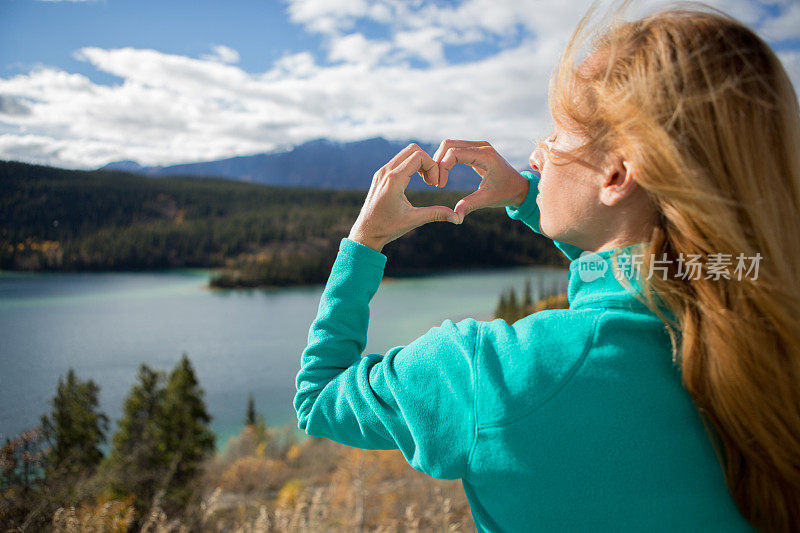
point(240, 341)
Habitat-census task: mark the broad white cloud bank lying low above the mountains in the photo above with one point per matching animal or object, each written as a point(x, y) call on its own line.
point(170, 108)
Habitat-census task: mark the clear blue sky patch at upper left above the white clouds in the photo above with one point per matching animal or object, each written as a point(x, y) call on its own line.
point(40, 32)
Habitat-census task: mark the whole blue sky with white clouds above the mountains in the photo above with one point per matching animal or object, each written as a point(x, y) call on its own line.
point(87, 82)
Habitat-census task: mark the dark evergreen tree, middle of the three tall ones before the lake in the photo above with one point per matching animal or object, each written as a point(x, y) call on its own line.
point(139, 458)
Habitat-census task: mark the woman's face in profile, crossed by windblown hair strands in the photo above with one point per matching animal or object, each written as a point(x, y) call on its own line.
point(568, 193)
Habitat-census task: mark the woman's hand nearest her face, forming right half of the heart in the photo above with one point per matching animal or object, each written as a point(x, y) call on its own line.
point(500, 185)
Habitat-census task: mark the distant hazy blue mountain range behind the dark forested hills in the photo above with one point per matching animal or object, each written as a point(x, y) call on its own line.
point(320, 163)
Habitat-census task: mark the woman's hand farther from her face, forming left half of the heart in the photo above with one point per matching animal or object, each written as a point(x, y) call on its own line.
point(387, 214)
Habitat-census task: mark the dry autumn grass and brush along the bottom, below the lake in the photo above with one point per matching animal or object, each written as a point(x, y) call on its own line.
point(313, 485)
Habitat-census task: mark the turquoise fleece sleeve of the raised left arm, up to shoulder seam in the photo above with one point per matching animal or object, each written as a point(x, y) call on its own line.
point(417, 398)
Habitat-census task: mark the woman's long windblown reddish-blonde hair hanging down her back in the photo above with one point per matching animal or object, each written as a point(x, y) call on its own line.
point(703, 110)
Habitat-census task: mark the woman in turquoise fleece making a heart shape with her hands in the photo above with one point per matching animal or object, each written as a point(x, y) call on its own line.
point(665, 397)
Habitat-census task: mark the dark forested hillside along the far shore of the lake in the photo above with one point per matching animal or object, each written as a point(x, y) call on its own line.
point(55, 219)
